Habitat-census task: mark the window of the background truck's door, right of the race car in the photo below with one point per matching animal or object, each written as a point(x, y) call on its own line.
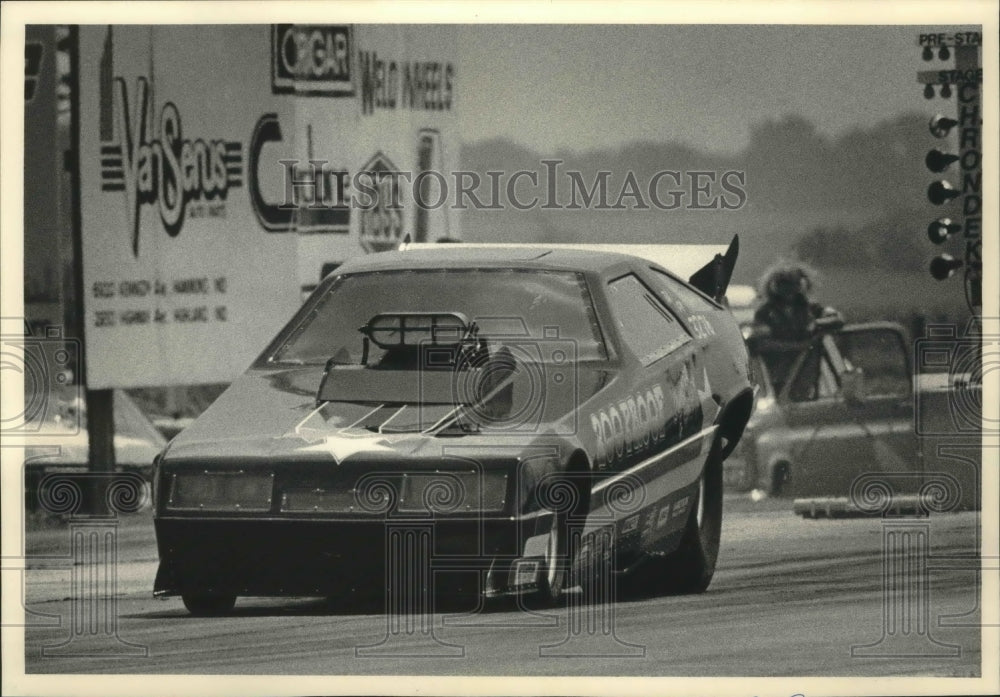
point(881, 355)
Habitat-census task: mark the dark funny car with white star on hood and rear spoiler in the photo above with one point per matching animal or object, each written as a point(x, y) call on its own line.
point(503, 421)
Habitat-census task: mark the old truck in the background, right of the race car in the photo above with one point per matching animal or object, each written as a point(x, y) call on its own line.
point(845, 418)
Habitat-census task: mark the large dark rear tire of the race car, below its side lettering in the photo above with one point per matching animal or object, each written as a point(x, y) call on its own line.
point(690, 568)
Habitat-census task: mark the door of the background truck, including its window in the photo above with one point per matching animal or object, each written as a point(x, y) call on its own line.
point(838, 430)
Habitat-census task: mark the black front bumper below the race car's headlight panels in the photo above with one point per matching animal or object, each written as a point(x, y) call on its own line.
point(282, 556)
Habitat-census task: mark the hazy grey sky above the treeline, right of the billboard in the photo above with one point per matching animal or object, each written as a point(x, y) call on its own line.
point(583, 86)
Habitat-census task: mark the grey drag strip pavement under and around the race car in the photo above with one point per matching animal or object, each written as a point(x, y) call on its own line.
point(790, 597)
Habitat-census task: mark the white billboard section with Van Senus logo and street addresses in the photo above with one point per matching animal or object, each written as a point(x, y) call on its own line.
point(181, 285)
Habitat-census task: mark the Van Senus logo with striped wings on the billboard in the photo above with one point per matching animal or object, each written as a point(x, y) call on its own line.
point(162, 168)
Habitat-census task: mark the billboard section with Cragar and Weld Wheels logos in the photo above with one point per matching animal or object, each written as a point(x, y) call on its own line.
point(356, 160)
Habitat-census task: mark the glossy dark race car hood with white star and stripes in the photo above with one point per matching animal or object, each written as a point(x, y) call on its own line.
point(275, 414)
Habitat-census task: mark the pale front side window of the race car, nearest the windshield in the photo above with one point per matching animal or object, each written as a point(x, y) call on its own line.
point(645, 325)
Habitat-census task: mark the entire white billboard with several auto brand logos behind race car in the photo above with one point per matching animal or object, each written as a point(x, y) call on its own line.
point(224, 167)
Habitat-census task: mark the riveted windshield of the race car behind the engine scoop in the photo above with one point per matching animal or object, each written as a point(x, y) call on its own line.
point(516, 305)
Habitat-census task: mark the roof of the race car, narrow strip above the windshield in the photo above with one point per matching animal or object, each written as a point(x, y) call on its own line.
point(449, 257)
